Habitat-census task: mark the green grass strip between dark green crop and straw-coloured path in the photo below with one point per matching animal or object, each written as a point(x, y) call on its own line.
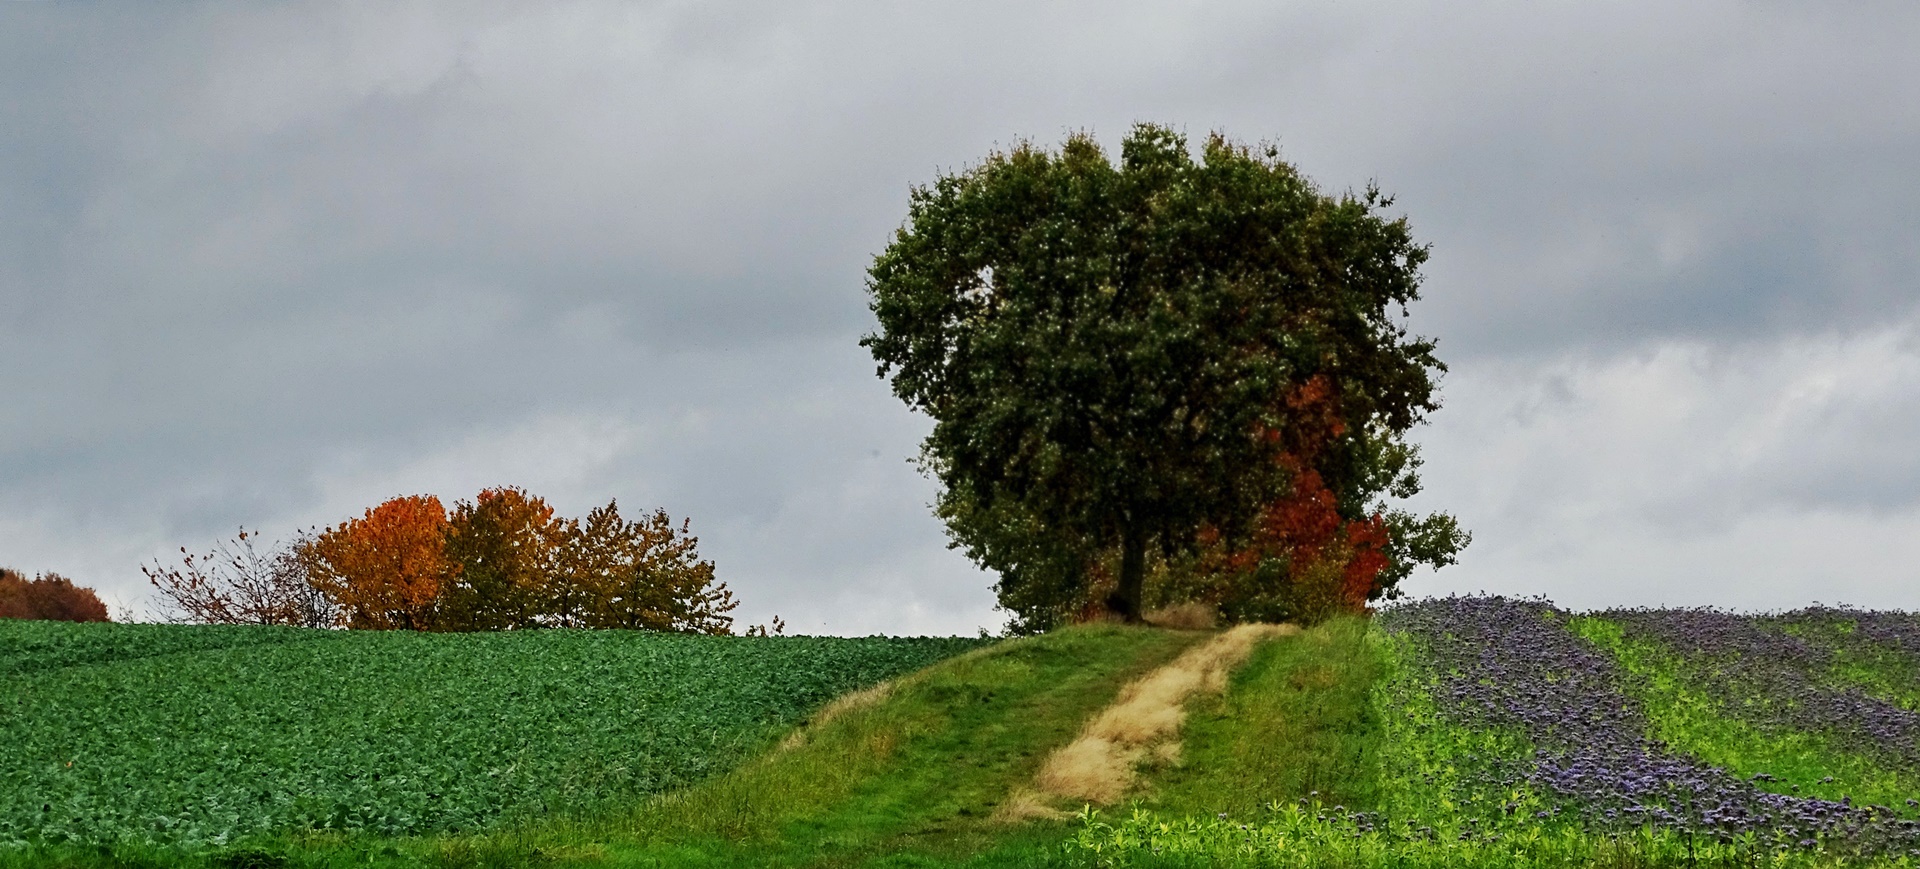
point(909, 780)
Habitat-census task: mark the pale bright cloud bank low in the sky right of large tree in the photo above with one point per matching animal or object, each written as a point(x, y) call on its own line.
point(1762, 475)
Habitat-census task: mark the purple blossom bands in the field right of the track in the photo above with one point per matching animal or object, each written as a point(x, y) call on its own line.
point(1518, 667)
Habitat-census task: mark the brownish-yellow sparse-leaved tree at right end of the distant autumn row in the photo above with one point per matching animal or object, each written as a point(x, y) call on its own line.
point(642, 575)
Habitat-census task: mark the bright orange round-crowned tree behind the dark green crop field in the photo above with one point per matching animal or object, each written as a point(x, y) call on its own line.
point(387, 569)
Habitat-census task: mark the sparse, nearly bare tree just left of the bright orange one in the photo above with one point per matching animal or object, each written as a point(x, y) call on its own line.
point(241, 584)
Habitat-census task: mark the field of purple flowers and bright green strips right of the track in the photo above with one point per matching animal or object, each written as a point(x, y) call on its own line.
point(1518, 734)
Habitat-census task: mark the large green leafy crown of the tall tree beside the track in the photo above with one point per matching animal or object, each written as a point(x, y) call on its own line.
point(1115, 354)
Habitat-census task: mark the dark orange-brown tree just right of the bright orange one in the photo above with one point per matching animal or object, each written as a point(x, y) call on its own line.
point(504, 548)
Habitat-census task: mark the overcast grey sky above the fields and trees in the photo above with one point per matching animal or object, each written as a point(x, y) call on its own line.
point(274, 264)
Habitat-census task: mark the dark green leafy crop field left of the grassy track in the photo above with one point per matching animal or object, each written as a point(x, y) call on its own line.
point(206, 736)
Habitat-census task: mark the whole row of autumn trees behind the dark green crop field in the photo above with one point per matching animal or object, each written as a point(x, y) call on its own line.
point(502, 561)
